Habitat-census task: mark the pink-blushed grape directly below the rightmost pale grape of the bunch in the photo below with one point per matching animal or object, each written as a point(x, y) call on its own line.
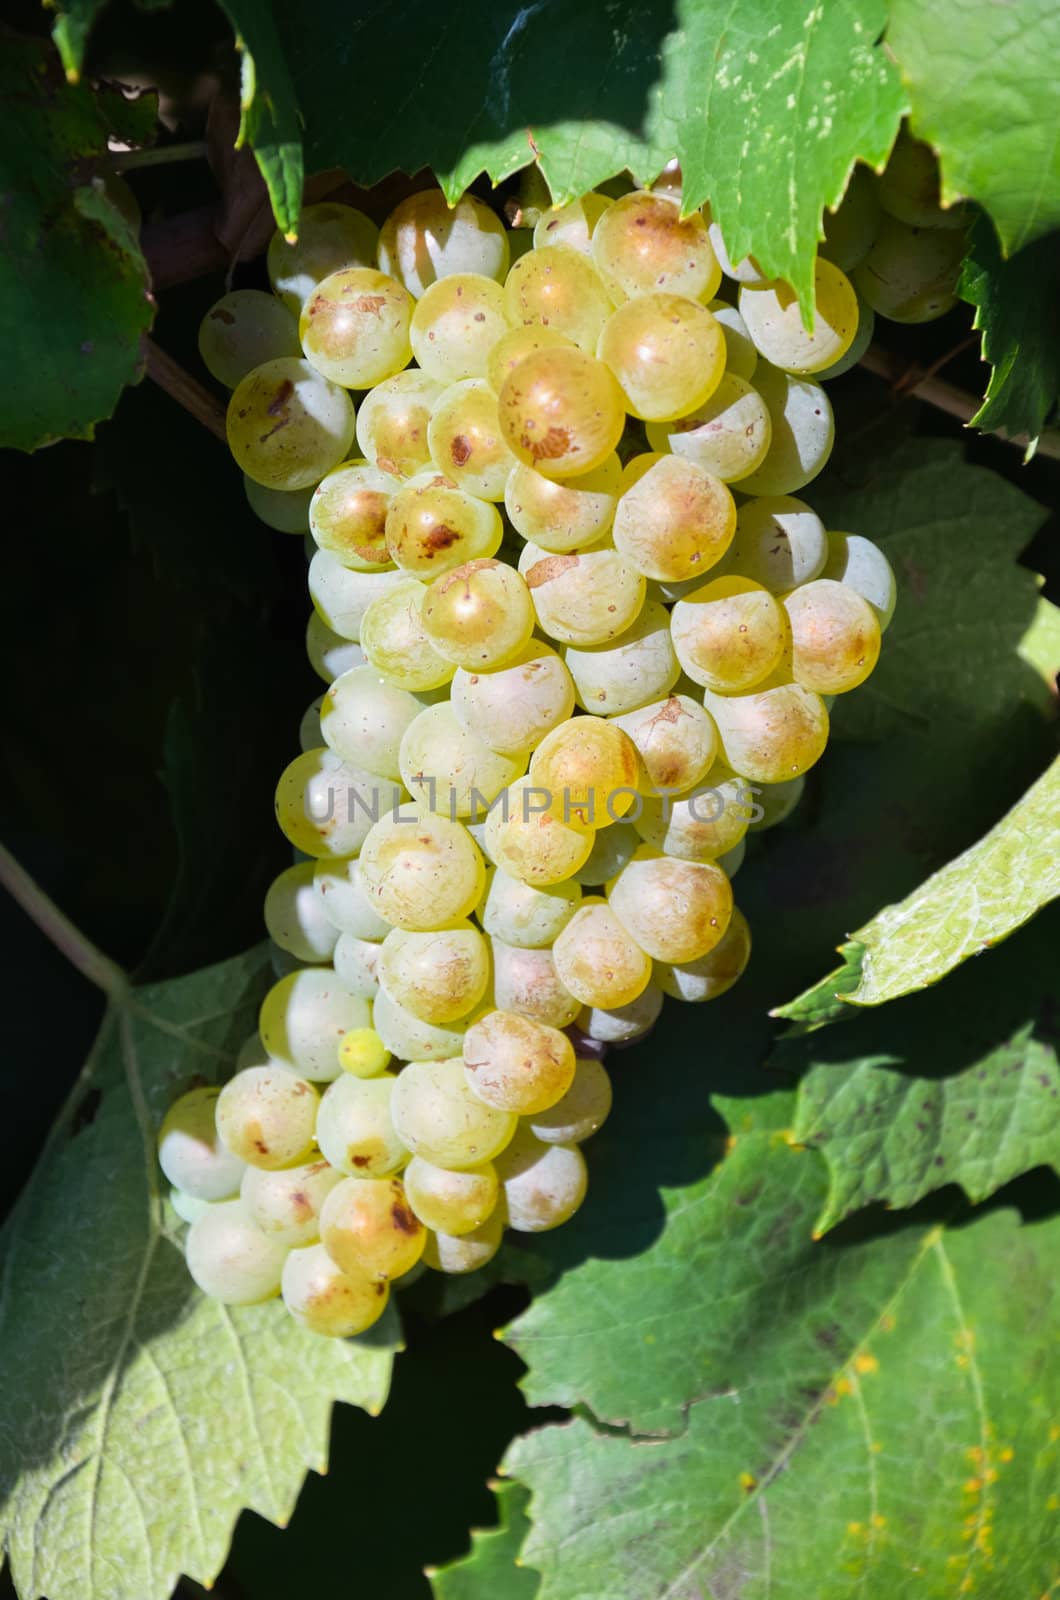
point(835, 638)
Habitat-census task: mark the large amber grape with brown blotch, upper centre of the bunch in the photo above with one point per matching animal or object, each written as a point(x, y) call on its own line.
point(563, 410)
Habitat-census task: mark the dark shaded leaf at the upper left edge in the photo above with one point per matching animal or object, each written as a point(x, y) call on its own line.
point(74, 294)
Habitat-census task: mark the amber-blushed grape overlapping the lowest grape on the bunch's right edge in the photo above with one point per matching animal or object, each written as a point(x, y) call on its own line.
point(675, 910)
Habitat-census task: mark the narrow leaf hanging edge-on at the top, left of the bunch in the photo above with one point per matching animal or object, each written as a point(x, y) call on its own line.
point(271, 121)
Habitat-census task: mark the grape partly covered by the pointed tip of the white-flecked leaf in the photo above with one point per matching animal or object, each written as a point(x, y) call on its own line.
point(774, 321)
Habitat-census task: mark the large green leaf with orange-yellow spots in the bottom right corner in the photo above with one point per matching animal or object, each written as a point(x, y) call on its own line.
point(901, 1386)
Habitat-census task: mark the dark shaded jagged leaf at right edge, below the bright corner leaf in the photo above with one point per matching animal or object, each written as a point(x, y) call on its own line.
point(1018, 311)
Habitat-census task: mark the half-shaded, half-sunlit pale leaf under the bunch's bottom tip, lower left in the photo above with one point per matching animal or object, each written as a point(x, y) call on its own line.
point(142, 1418)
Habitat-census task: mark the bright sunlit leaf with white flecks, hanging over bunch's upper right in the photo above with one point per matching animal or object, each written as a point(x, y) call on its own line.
point(774, 105)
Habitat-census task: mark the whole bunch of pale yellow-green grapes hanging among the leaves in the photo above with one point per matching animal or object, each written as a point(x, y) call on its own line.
point(580, 634)
